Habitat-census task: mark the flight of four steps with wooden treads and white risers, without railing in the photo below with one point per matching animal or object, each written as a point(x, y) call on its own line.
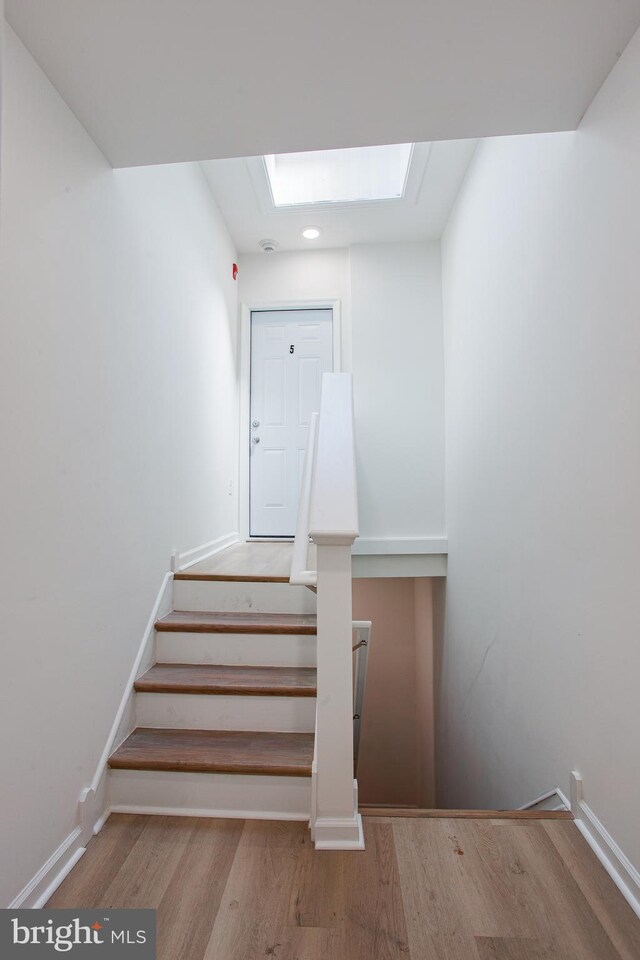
point(225, 717)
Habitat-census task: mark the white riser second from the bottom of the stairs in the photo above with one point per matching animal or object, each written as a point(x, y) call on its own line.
point(213, 712)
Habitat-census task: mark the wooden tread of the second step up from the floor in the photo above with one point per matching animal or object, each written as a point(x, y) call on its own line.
point(242, 680)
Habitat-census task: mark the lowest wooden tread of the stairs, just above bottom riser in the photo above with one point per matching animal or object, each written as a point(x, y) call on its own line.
point(216, 751)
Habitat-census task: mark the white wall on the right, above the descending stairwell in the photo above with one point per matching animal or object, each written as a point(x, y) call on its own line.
point(541, 660)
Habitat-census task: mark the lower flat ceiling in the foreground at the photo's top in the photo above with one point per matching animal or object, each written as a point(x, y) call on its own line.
point(157, 81)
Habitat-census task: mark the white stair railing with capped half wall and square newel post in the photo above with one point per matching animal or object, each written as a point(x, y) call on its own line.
point(328, 516)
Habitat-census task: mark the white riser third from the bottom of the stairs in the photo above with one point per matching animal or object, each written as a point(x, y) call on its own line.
point(277, 650)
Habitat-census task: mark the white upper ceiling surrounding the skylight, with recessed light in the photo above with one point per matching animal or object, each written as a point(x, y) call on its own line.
point(421, 217)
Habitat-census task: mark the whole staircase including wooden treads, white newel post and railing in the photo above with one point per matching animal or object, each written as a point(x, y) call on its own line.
point(242, 713)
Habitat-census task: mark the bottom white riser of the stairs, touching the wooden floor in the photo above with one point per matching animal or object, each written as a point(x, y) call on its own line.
point(210, 794)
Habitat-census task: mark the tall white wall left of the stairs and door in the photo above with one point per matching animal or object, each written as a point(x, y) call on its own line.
point(118, 429)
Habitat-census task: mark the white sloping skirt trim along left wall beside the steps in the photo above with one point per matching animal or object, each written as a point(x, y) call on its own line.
point(93, 799)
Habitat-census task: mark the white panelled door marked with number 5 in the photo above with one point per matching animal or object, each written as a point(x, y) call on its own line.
point(290, 350)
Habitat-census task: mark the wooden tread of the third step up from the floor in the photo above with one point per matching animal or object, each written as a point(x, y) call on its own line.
point(196, 621)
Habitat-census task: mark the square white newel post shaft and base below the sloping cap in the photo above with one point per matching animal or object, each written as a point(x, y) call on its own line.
point(338, 824)
